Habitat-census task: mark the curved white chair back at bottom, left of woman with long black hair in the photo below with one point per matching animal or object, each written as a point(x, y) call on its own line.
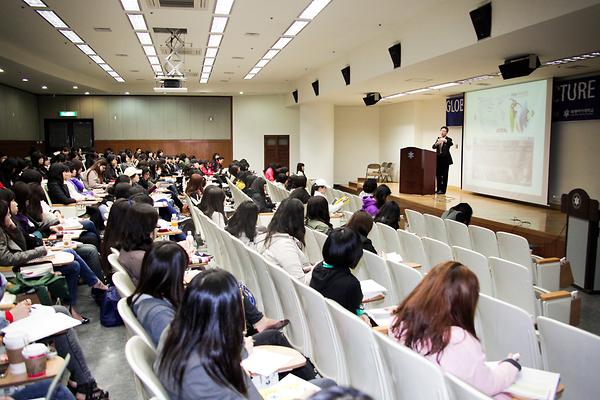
point(141, 359)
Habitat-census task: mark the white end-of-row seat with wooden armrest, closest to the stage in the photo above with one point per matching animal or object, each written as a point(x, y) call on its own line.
point(515, 248)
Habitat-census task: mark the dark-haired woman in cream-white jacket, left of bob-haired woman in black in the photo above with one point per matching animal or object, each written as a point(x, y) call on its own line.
point(284, 240)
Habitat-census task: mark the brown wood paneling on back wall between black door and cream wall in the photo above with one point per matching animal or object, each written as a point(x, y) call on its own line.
point(202, 149)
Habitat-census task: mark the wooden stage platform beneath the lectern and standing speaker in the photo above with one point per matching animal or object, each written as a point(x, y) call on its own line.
point(544, 227)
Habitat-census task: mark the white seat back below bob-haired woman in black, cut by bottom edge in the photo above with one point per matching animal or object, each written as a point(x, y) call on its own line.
point(360, 352)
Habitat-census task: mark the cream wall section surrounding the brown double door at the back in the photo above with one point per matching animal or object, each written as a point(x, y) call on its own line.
point(256, 116)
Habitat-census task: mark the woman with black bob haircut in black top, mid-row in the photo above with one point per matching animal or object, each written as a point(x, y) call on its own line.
point(332, 277)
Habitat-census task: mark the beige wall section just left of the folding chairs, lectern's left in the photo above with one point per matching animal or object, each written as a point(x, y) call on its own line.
point(356, 135)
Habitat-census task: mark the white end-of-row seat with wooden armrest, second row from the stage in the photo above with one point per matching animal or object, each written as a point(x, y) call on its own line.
point(512, 283)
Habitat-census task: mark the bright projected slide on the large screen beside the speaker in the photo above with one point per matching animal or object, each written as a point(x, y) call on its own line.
point(507, 140)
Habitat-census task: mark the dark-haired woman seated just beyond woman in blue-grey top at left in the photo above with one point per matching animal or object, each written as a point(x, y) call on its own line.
point(139, 232)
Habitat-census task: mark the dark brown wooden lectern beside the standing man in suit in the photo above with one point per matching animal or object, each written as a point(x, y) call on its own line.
point(417, 171)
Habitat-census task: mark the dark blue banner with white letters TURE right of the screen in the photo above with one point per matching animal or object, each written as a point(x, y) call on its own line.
point(576, 99)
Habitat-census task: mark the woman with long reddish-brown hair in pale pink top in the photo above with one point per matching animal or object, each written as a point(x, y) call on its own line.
point(437, 320)
